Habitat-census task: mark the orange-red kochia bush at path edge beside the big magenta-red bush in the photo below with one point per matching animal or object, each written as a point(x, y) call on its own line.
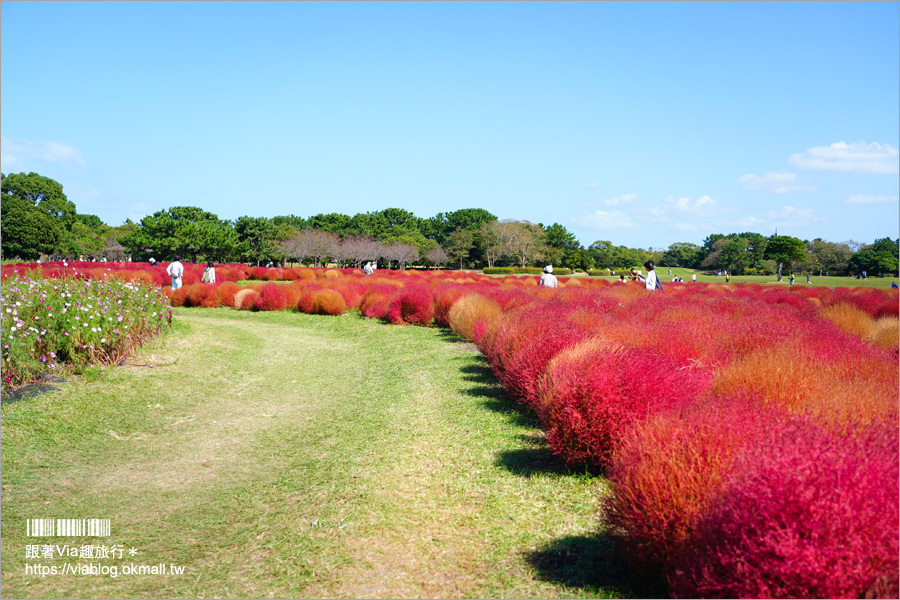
point(668, 470)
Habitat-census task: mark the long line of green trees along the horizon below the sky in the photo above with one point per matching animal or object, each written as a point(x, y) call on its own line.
point(38, 220)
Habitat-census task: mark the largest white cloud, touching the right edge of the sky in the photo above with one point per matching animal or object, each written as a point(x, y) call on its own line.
point(858, 157)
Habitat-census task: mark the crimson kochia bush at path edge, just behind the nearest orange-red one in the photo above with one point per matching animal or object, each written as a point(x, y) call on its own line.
point(593, 399)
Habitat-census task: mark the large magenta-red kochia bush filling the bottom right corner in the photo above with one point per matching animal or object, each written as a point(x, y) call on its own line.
point(808, 513)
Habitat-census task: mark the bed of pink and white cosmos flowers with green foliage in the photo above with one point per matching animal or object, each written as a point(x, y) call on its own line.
point(51, 325)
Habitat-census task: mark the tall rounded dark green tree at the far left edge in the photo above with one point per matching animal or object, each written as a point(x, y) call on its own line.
point(36, 216)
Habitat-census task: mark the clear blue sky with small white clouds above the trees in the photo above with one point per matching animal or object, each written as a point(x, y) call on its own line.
point(644, 124)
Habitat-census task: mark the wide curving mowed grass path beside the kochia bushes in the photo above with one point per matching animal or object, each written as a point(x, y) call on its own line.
point(294, 456)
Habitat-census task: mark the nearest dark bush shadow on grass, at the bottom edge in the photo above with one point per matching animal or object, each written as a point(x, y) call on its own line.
point(592, 564)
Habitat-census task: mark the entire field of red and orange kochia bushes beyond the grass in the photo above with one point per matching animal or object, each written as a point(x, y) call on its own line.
point(749, 433)
